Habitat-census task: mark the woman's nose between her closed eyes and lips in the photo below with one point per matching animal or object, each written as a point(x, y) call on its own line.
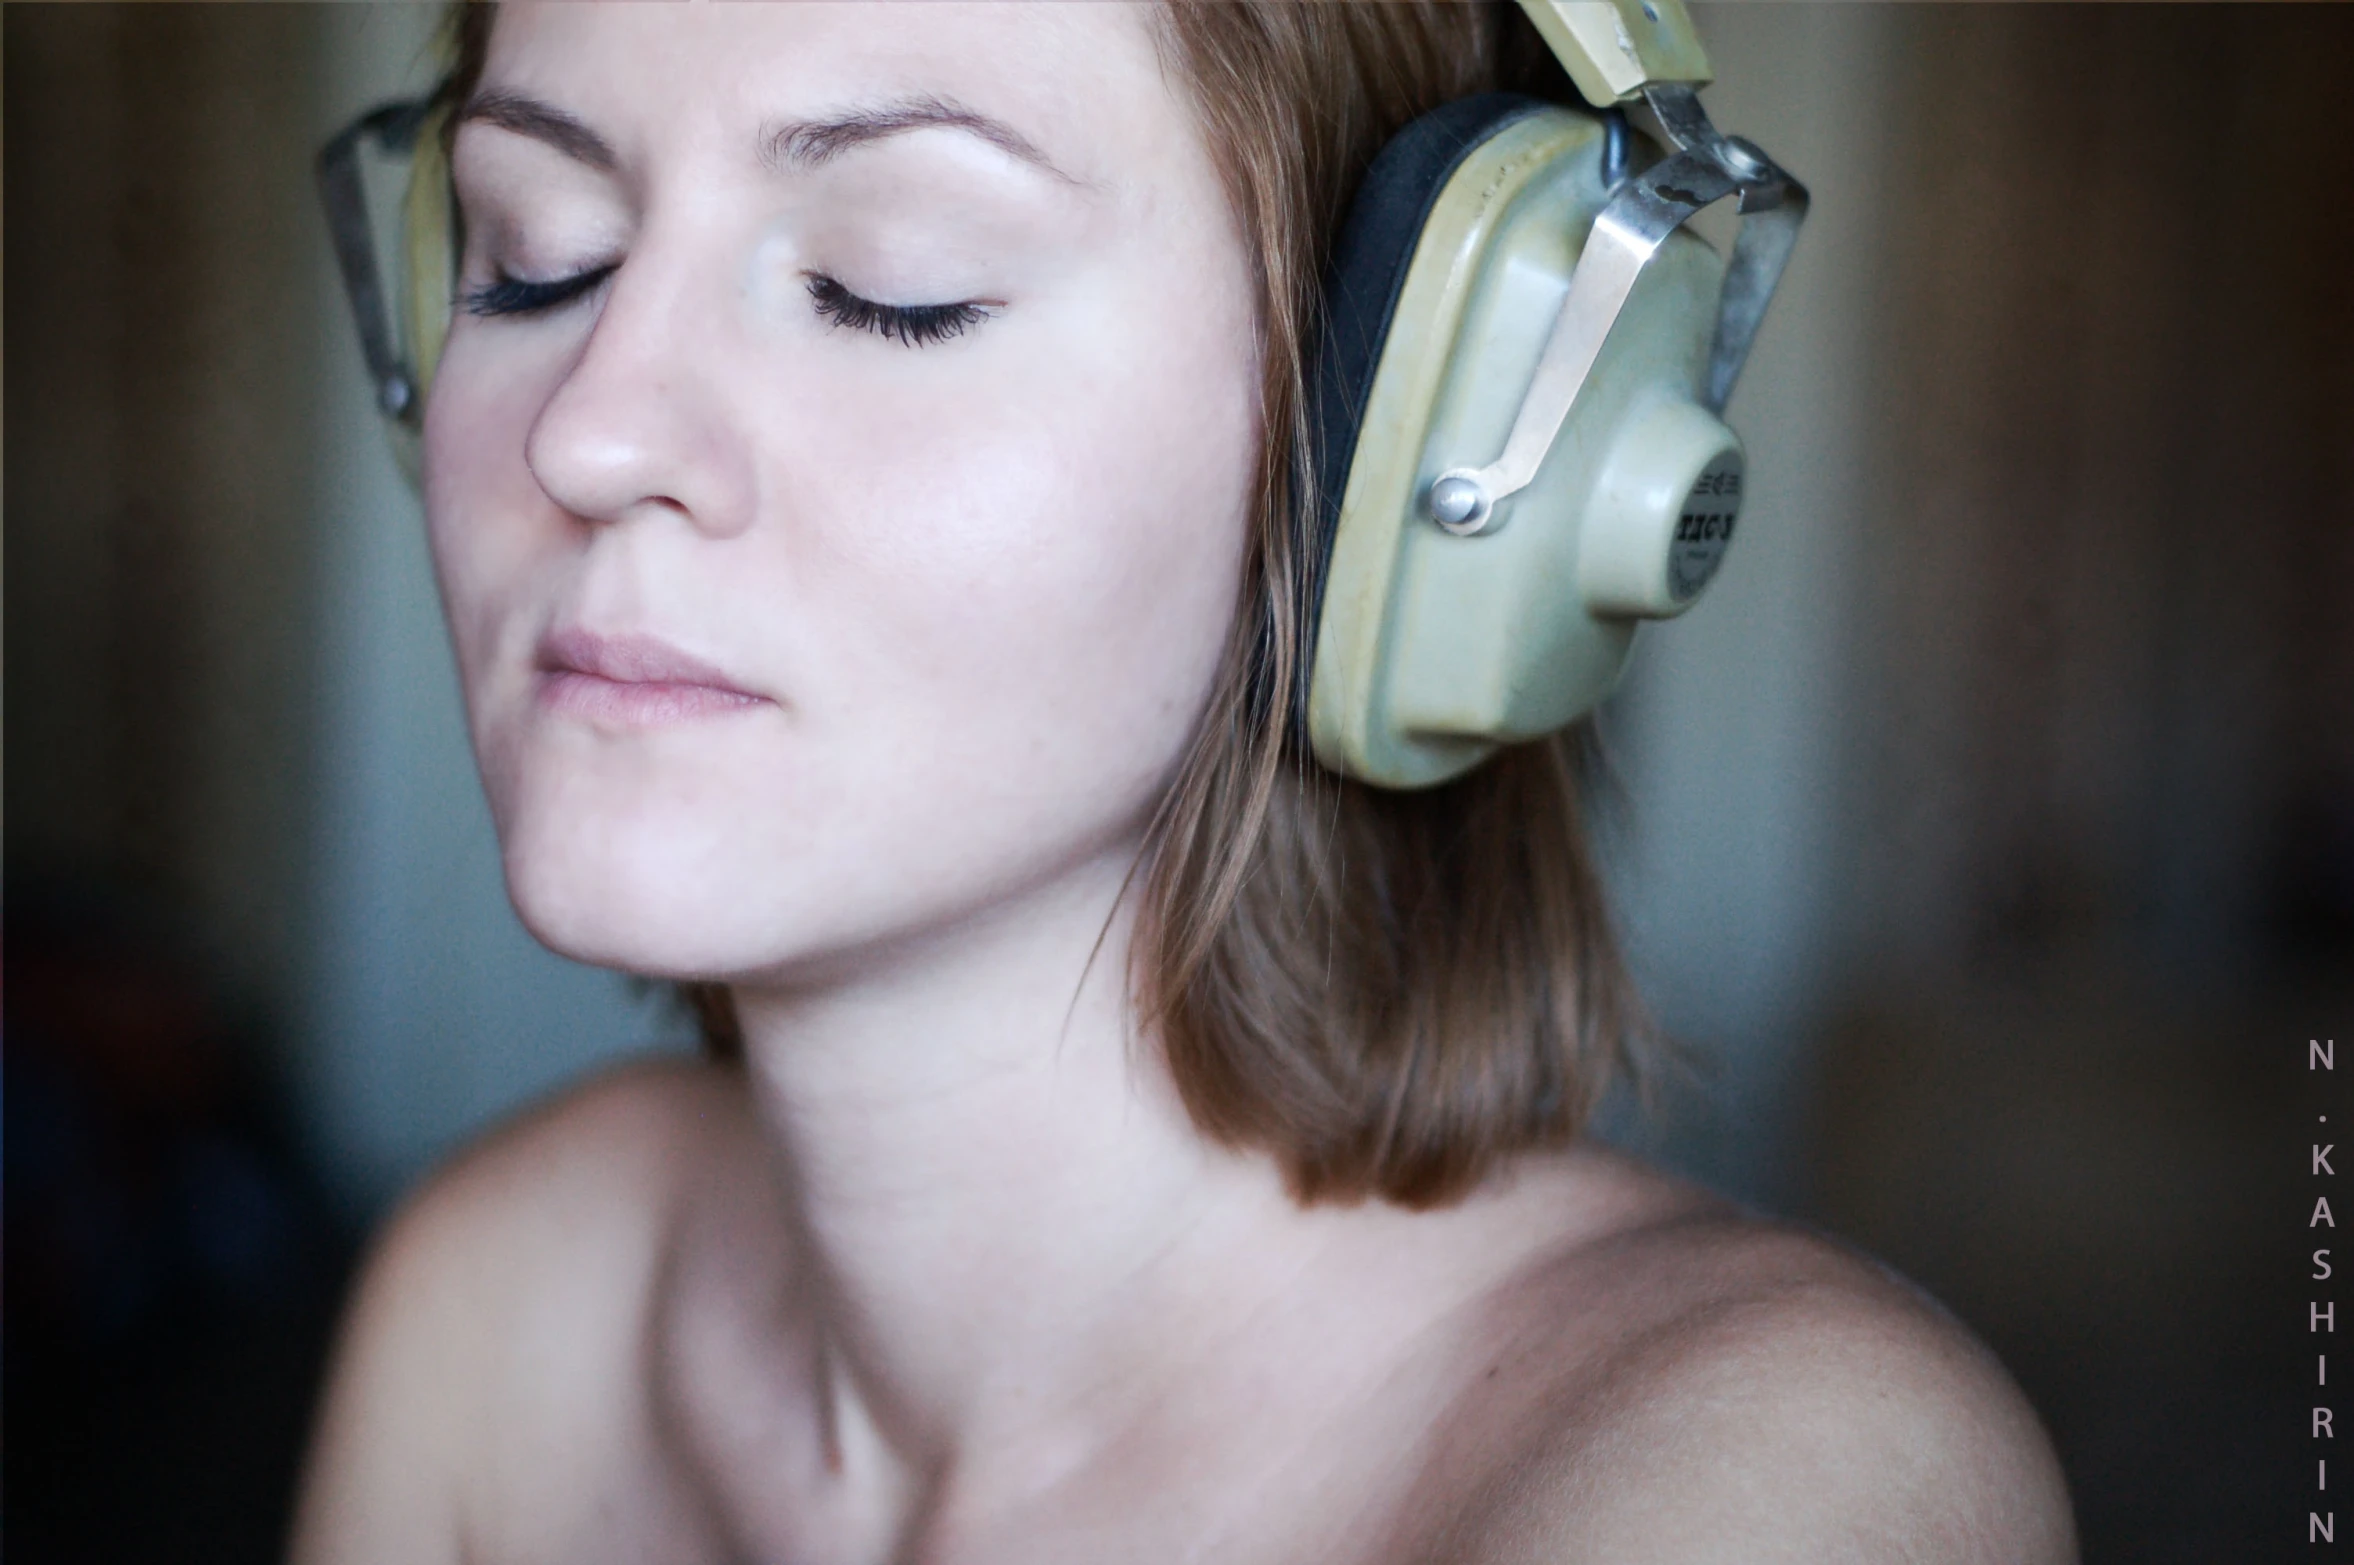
point(639, 425)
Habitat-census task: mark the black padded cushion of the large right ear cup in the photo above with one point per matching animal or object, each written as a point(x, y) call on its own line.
point(1362, 295)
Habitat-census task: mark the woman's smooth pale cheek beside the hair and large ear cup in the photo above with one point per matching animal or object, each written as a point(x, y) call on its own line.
point(1065, 547)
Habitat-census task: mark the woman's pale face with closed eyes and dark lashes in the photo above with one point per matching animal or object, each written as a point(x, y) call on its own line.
point(839, 467)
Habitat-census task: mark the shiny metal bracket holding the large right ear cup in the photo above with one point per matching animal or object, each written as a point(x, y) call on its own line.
point(1635, 222)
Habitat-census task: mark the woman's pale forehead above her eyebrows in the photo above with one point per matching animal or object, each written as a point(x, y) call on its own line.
point(1079, 81)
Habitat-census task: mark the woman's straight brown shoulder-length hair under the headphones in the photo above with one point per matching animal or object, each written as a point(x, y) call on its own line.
point(1385, 992)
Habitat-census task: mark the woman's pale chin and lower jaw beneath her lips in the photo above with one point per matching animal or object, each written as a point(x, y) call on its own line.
point(736, 858)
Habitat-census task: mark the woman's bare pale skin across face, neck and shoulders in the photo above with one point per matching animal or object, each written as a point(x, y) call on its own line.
point(945, 1274)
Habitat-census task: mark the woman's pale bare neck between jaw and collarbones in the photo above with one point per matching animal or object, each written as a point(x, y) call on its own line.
point(1011, 1220)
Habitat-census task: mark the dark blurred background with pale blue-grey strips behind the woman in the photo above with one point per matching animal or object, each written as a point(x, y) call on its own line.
point(1988, 834)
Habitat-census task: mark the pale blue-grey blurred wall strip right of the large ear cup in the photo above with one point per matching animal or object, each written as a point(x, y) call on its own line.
point(1729, 731)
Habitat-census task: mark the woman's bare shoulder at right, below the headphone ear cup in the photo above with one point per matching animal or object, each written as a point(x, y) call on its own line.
point(1717, 1387)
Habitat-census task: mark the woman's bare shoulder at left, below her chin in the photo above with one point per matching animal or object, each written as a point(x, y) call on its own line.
point(491, 1340)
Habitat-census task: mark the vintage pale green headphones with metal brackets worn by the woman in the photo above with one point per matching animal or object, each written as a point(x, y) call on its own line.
point(1517, 404)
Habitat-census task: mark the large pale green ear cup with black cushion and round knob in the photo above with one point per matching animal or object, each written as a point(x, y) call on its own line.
point(1437, 648)
